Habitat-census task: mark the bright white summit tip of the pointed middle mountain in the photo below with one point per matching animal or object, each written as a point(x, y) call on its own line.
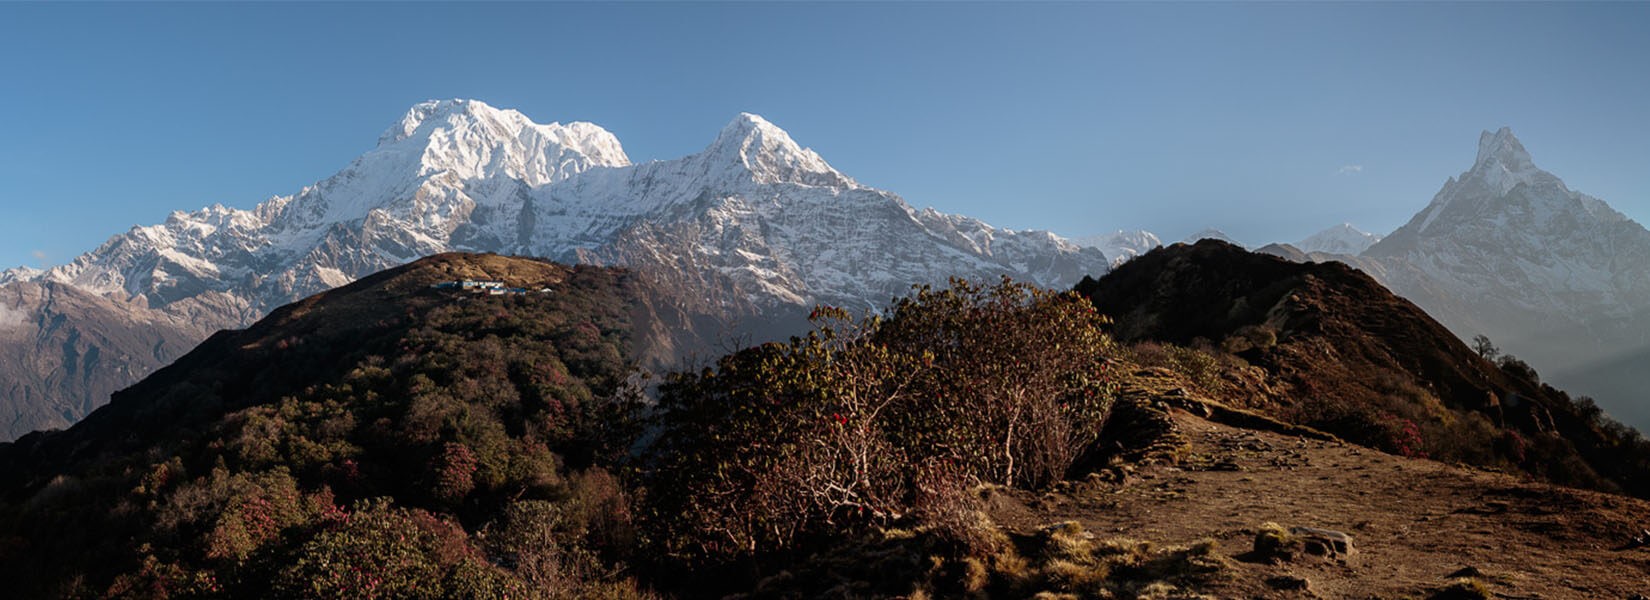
point(760, 148)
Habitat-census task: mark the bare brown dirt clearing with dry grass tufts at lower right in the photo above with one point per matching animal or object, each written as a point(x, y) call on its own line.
point(1415, 522)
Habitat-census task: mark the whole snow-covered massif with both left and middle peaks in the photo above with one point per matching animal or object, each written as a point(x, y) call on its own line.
point(755, 225)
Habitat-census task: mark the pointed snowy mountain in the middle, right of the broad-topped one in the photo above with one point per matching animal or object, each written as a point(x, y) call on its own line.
point(788, 228)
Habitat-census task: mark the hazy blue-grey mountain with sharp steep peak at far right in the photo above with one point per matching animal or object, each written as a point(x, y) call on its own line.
point(1555, 276)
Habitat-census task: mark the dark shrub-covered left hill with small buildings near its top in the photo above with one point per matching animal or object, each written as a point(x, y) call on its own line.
point(354, 444)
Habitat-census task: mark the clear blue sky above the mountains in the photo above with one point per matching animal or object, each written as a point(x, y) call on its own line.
point(1270, 121)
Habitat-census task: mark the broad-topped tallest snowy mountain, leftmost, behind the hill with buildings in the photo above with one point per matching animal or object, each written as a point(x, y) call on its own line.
point(445, 174)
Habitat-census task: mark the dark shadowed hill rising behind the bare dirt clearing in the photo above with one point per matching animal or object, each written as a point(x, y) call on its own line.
point(1336, 344)
